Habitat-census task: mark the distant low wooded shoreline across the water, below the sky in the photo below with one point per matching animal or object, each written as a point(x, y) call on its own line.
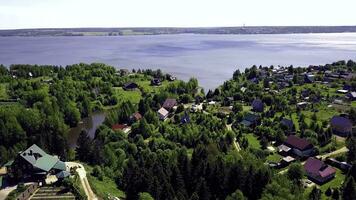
point(173, 30)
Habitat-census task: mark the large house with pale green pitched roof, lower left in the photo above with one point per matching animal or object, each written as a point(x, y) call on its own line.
point(36, 163)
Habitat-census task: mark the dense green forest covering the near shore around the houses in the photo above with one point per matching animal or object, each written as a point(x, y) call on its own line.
point(205, 153)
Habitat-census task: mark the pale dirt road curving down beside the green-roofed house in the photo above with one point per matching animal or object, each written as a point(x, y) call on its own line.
point(83, 179)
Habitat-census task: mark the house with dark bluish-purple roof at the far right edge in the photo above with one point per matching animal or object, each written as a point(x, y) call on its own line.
point(341, 126)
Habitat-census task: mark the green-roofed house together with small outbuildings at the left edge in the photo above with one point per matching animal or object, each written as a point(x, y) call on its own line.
point(34, 164)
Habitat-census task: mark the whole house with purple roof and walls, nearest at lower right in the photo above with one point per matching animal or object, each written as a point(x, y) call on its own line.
point(318, 171)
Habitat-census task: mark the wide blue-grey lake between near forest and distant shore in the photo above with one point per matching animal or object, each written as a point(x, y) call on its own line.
point(210, 58)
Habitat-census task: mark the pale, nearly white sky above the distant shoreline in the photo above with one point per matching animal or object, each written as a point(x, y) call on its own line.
point(173, 13)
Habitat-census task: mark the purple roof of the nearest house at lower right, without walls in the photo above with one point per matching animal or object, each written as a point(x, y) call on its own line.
point(318, 168)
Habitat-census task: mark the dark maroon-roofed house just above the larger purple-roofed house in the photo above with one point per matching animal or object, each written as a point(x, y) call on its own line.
point(298, 146)
